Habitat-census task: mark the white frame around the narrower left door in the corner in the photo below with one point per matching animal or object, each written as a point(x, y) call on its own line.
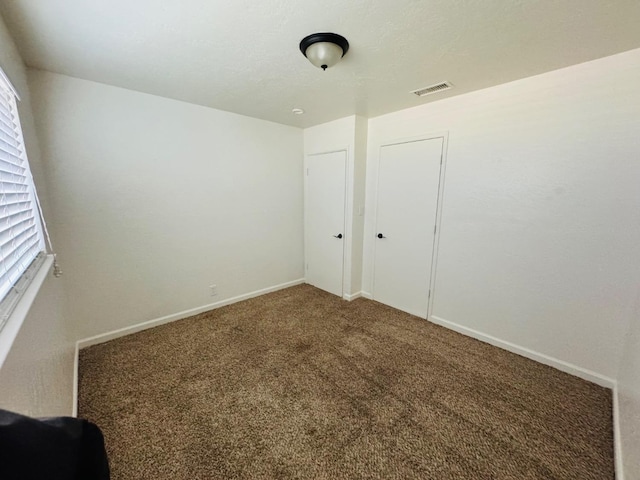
point(346, 245)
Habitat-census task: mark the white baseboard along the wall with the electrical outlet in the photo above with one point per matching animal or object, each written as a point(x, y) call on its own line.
point(105, 337)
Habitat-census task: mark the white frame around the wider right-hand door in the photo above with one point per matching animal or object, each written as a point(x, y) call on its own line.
point(444, 135)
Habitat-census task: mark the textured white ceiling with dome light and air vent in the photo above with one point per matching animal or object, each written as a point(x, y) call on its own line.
point(242, 55)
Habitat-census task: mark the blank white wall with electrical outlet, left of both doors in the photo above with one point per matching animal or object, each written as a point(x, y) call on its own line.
point(156, 199)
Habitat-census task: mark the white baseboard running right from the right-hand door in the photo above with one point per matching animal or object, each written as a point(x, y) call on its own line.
point(526, 352)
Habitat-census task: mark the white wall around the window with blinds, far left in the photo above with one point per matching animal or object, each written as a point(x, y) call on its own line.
point(36, 377)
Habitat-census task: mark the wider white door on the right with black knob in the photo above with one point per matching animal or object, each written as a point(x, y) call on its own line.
point(408, 180)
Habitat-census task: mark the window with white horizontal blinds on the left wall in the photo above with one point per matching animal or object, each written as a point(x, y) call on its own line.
point(21, 239)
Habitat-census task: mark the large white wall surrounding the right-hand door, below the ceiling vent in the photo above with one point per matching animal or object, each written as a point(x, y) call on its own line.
point(540, 216)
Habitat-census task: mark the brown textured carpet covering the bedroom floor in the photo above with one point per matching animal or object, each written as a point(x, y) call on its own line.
point(300, 384)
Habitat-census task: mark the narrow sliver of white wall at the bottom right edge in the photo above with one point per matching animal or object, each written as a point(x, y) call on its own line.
point(629, 398)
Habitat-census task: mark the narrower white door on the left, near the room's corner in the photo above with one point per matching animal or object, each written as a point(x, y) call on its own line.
point(325, 215)
